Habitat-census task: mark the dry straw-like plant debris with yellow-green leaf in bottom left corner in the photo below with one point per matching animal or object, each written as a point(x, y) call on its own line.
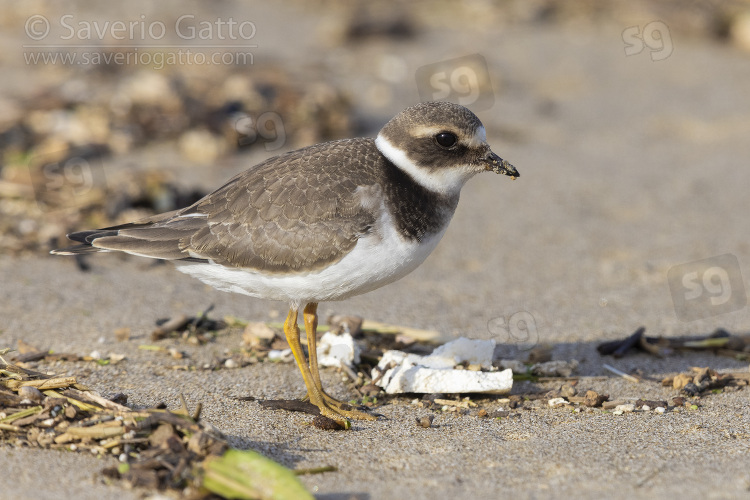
point(157, 449)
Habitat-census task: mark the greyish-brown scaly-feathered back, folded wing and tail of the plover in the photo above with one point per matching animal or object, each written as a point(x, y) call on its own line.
point(300, 210)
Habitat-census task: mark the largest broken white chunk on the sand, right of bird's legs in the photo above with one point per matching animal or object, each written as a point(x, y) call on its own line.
point(436, 373)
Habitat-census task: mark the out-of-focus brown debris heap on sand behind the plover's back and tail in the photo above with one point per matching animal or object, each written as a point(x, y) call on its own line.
point(55, 142)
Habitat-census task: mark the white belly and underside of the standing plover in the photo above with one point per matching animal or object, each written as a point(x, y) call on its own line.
point(377, 259)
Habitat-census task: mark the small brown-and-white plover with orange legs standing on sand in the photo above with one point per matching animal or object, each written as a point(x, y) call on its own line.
point(325, 222)
